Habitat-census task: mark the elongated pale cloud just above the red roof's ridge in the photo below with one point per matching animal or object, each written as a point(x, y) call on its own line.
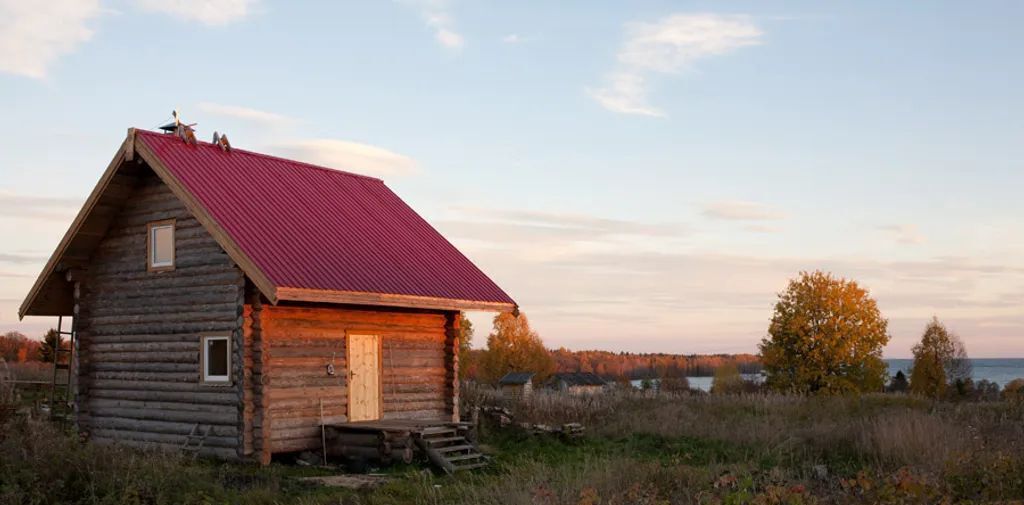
point(346, 155)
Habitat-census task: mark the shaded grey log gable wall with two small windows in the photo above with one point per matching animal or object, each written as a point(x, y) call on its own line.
point(140, 333)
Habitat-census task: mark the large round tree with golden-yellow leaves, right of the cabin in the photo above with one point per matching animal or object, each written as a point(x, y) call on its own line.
point(826, 336)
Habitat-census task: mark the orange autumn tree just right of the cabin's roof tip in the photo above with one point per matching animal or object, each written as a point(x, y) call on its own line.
point(514, 347)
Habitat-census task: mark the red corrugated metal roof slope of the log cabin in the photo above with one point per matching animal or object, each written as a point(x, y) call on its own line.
point(314, 228)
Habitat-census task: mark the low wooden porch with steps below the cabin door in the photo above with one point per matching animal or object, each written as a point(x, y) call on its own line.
point(449, 446)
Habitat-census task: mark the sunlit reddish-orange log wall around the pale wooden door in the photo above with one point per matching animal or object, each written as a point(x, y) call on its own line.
point(303, 341)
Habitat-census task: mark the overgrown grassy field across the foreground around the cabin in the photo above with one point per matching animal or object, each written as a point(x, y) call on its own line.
point(639, 450)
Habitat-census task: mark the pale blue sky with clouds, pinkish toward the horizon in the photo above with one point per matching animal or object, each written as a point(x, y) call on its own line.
point(638, 176)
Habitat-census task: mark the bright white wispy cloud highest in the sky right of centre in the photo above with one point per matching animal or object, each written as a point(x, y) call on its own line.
point(668, 47)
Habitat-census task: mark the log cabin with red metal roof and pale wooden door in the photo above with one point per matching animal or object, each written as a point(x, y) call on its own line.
point(244, 302)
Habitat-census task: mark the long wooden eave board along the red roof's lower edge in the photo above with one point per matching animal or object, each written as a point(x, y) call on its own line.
point(395, 301)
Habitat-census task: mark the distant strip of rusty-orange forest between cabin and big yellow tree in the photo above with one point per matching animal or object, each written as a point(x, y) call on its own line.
point(639, 366)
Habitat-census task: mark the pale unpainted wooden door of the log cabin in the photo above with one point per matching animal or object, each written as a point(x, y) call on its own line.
point(365, 403)
